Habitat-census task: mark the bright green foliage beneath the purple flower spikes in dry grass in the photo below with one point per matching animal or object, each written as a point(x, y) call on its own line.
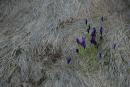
point(89, 54)
